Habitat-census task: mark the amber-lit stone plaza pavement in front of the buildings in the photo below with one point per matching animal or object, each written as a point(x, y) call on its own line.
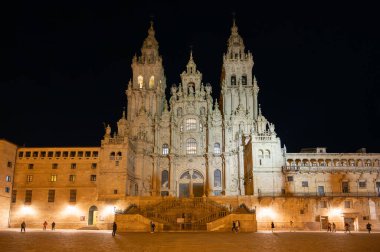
point(94, 240)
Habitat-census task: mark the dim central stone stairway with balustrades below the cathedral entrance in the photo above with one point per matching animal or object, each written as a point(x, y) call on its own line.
point(182, 214)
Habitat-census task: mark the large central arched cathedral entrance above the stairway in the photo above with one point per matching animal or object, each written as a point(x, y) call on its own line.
point(191, 184)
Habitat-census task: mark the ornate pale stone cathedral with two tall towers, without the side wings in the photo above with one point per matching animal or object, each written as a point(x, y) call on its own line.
point(191, 145)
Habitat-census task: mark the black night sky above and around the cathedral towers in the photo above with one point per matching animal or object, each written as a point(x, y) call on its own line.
point(65, 66)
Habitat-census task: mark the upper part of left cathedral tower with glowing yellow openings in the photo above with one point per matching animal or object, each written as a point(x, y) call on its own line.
point(146, 90)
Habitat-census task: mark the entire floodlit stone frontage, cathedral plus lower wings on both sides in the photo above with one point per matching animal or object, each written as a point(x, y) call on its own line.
point(193, 146)
